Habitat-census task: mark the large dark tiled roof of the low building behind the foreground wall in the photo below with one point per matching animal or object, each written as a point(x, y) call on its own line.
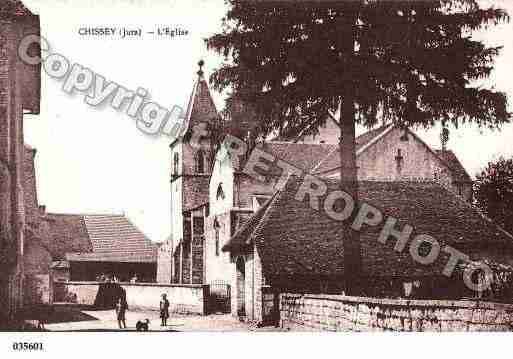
point(293, 239)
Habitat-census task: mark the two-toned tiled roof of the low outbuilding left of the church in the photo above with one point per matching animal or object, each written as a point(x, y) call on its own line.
point(101, 238)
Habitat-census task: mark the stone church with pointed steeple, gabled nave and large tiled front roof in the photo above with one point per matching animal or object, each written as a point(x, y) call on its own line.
point(253, 236)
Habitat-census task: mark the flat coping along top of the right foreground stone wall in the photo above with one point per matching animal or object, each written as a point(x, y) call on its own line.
point(474, 304)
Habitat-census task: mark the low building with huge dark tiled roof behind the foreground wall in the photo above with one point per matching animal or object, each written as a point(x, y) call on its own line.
point(287, 246)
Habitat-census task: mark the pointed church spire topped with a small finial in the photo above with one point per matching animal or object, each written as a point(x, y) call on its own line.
point(201, 106)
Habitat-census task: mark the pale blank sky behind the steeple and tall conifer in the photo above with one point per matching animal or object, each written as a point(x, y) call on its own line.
point(95, 160)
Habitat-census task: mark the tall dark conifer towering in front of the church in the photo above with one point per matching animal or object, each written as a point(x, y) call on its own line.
point(298, 63)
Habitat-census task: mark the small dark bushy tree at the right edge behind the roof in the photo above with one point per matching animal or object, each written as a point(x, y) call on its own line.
point(494, 192)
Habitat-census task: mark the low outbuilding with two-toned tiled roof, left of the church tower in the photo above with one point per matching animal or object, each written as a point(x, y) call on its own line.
point(101, 244)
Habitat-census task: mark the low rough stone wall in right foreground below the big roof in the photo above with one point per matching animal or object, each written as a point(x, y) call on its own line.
point(342, 313)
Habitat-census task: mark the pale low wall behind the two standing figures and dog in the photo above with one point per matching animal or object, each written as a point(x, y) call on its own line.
point(183, 298)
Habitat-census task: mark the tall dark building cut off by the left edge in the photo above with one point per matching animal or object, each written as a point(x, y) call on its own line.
point(19, 94)
